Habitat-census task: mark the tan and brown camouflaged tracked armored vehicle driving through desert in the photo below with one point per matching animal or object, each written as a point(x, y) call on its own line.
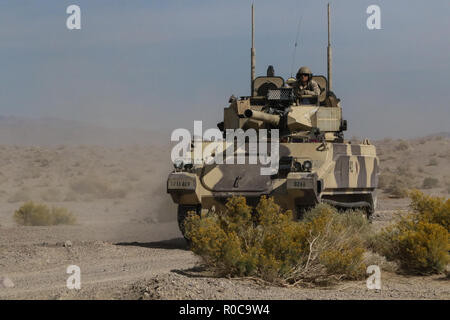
point(315, 163)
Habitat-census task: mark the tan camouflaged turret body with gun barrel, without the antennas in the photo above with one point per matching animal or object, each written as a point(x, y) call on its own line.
point(279, 109)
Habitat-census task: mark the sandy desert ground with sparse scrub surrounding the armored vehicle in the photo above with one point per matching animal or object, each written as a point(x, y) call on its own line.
point(126, 239)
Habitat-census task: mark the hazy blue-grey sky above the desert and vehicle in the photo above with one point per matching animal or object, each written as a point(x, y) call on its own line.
point(160, 65)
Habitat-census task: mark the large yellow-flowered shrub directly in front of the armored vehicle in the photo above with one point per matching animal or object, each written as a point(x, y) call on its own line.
point(268, 244)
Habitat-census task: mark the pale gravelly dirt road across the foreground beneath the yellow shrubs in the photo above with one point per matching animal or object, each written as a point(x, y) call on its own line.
point(35, 260)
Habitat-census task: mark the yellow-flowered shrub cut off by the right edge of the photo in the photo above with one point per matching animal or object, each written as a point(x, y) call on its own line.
point(419, 241)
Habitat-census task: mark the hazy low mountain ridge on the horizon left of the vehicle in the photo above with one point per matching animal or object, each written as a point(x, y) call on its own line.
point(53, 131)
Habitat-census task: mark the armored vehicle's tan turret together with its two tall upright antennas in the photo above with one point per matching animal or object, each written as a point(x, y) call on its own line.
point(272, 104)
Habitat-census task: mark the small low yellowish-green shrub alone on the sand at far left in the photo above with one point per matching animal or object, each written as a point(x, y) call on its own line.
point(31, 214)
